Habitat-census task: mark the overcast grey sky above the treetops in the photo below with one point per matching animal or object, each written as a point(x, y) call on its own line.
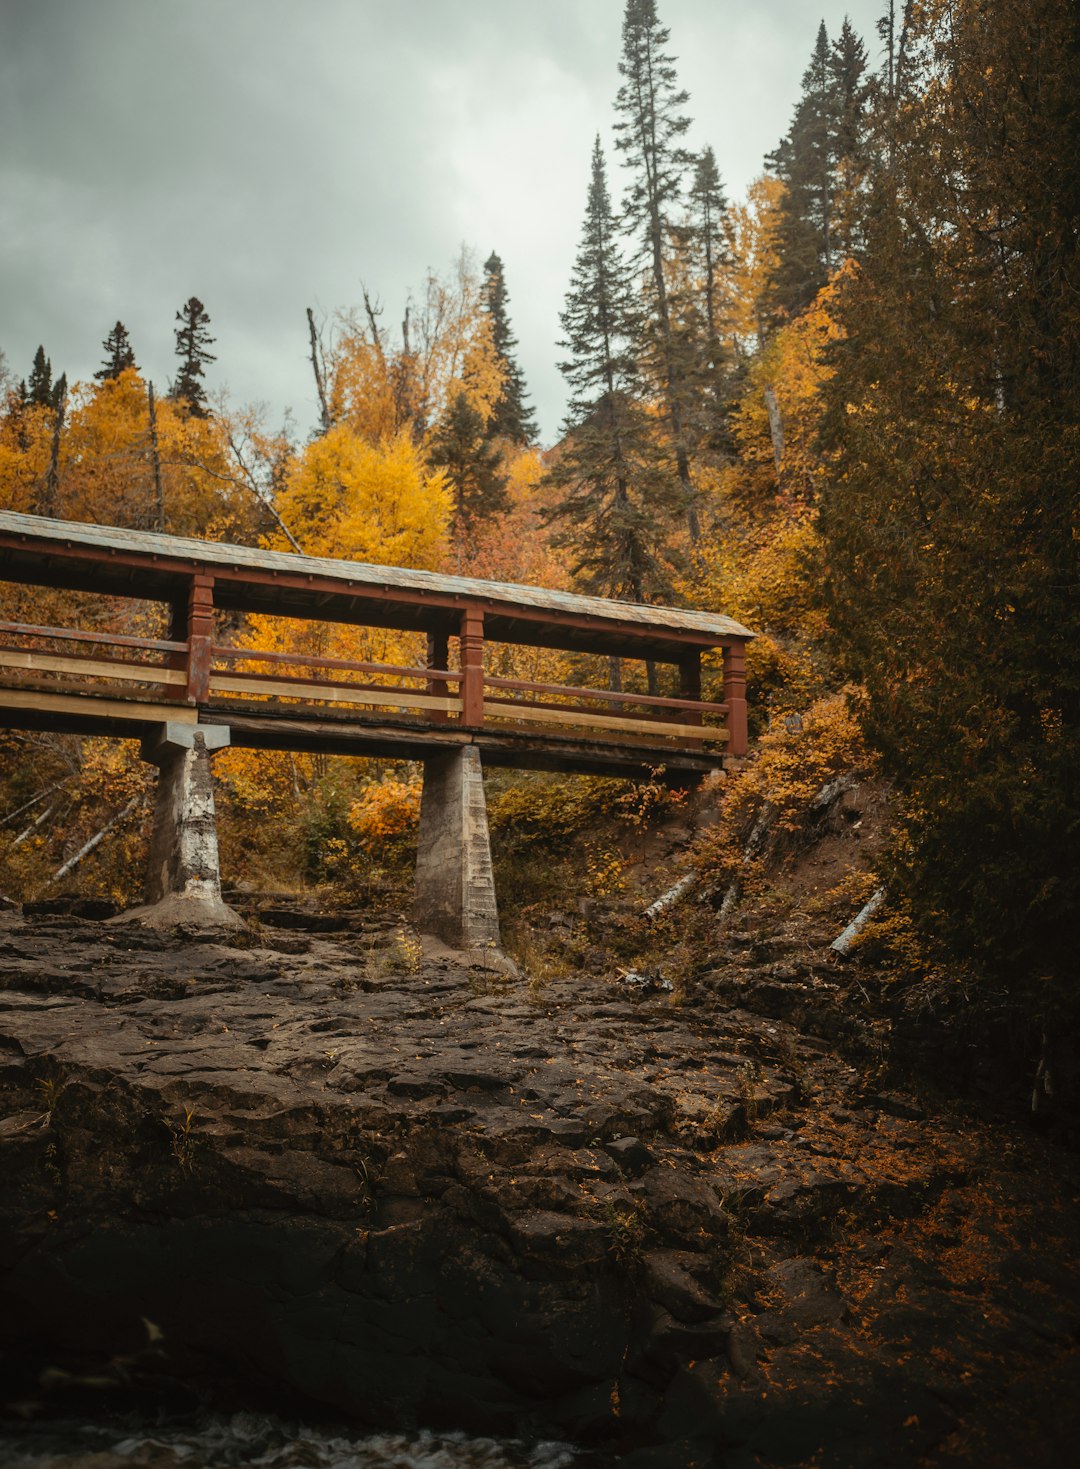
point(274, 155)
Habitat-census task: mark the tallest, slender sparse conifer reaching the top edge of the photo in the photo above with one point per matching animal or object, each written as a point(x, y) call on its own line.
point(649, 133)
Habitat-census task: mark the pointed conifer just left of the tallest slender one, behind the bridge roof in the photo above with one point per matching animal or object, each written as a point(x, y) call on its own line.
point(618, 496)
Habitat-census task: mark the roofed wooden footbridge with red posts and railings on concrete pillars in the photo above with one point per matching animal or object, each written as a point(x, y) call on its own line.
point(192, 690)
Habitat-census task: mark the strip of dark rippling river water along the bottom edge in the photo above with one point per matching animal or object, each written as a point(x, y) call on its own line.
point(261, 1442)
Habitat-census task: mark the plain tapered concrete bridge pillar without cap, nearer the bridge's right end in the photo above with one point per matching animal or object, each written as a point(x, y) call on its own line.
point(455, 884)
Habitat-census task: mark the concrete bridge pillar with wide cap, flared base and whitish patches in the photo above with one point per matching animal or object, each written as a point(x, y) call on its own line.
point(184, 882)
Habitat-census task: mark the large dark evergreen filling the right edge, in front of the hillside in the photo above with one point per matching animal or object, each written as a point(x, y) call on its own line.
point(951, 503)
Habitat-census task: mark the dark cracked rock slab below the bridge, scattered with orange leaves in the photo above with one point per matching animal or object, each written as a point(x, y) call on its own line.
point(312, 1164)
